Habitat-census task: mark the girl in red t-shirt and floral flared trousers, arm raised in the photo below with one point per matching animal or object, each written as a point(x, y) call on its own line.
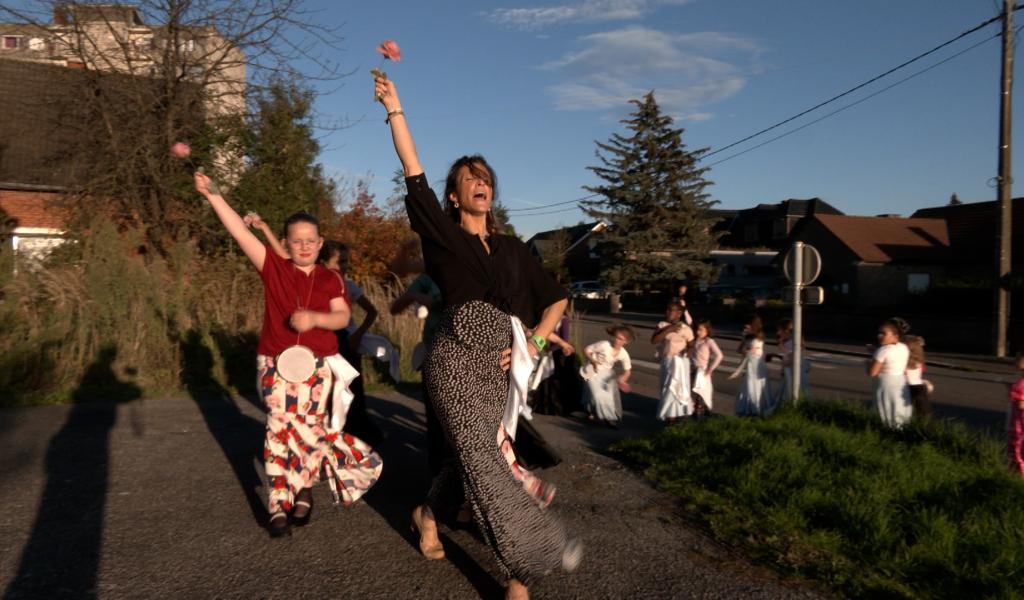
point(304, 305)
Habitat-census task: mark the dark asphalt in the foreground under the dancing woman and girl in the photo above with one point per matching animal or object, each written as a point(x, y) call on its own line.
point(163, 499)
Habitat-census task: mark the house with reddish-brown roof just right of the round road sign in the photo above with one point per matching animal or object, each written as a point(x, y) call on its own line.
point(877, 262)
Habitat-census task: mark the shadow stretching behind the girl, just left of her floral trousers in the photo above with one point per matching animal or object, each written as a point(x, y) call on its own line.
point(240, 437)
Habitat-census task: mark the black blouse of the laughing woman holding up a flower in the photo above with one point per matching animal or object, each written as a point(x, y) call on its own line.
point(510, 278)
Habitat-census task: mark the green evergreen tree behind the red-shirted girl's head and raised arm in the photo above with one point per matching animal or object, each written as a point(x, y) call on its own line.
point(282, 176)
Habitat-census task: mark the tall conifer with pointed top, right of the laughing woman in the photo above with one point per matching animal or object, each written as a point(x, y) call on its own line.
point(655, 202)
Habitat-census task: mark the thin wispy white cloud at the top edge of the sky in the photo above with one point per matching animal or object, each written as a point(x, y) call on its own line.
point(584, 12)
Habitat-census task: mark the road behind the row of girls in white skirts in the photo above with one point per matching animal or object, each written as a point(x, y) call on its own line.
point(978, 399)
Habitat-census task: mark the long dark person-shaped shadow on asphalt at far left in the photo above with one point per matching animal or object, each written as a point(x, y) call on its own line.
point(62, 556)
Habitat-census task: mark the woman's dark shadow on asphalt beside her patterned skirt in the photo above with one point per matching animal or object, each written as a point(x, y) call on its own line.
point(404, 485)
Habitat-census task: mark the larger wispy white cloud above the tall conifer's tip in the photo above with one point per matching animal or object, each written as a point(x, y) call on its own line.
point(687, 71)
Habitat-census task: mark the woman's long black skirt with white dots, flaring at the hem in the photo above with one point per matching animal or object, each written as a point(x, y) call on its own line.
point(470, 392)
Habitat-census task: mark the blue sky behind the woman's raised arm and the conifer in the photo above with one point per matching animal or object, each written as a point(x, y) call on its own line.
point(533, 84)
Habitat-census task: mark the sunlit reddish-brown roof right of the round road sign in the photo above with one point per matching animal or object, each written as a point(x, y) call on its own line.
point(884, 240)
